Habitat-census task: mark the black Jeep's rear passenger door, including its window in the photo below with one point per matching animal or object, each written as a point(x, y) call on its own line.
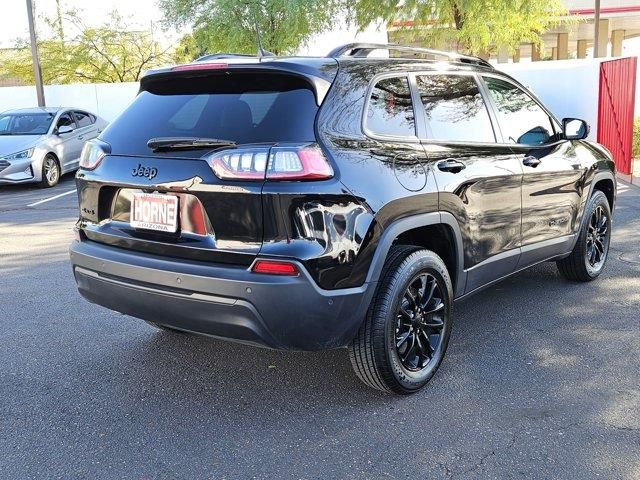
point(478, 178)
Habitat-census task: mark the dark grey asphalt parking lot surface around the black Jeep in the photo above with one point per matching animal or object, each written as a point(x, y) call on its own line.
point(542, 380)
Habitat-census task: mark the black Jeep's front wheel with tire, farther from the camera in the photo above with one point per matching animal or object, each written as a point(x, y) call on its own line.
point(589, 255)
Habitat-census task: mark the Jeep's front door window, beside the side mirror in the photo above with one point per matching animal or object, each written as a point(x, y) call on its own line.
point(521, 119)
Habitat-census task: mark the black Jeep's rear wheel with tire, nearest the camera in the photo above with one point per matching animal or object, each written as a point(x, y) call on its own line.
point(378, 353)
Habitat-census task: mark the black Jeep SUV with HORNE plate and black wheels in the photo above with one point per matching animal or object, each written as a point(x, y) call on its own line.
point(346, 201)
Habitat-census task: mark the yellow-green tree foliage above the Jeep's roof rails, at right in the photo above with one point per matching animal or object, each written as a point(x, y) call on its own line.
point(474, 26)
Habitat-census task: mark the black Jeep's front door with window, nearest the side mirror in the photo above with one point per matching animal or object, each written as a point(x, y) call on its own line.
point(552, 170)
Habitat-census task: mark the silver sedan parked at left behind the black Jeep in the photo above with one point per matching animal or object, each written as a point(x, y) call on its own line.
point(38, 145)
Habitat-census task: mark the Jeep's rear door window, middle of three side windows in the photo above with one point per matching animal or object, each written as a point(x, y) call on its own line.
point(455, 109)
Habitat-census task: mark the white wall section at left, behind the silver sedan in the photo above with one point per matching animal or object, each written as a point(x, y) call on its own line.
point(107, 100)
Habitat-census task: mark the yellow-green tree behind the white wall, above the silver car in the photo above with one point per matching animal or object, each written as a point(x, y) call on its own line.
point(108, 53)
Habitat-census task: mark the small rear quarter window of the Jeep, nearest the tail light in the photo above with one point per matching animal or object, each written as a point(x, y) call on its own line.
point(390, 110)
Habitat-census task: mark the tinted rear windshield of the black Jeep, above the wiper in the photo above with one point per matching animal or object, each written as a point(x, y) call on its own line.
point(257, 108)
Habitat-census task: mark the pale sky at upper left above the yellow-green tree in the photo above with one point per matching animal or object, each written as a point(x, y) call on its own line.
point(13, 20)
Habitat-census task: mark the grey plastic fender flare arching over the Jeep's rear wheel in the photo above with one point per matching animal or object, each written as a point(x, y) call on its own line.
point(416, 221)
